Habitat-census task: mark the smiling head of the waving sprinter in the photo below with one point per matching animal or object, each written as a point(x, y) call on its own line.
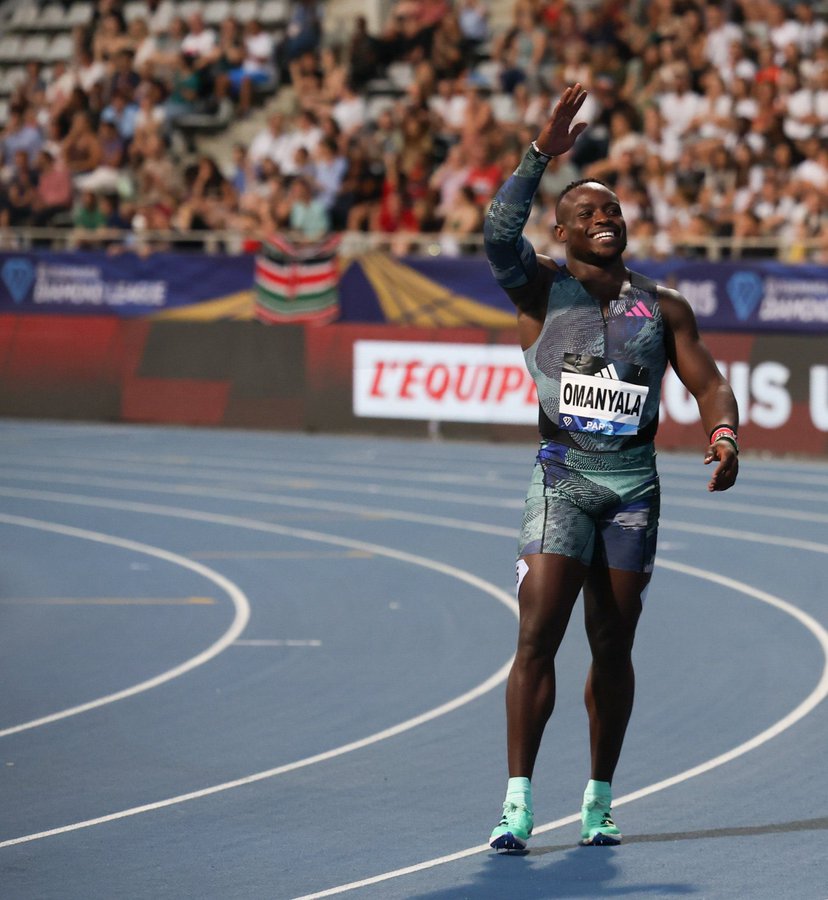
point(591, 224)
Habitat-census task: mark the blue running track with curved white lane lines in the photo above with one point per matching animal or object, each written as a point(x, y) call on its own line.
point(250, 665)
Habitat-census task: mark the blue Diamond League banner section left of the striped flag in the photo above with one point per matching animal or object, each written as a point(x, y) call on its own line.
point(125, 285)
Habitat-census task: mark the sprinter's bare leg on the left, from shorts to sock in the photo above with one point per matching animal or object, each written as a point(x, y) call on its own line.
point(546, 597)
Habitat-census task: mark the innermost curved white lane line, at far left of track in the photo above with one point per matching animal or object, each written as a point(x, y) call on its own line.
point(241, 615)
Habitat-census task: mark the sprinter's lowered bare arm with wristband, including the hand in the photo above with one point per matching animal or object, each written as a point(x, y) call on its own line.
point(699, 373)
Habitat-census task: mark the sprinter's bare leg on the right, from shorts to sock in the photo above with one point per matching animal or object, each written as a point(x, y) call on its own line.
point(612, 606)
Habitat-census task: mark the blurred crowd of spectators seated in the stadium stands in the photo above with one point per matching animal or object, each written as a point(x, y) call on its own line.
point(708, 119)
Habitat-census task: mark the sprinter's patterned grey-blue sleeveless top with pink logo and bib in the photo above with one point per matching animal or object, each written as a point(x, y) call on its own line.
point(599, 379)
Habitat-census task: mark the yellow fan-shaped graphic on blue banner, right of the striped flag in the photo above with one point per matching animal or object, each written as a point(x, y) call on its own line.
point(409, 298)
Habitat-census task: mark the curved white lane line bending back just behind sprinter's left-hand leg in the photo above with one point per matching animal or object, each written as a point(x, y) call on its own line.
point(479, 690)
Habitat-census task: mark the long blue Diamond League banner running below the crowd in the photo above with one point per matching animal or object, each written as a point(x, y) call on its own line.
point(749, 296)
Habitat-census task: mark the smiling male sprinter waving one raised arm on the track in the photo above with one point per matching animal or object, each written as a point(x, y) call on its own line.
point(596, 338)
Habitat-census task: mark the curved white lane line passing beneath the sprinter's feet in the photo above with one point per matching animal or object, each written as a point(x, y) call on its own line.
point(817, 695)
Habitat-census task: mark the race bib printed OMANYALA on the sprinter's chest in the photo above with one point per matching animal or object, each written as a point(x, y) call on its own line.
point(601, 396)
